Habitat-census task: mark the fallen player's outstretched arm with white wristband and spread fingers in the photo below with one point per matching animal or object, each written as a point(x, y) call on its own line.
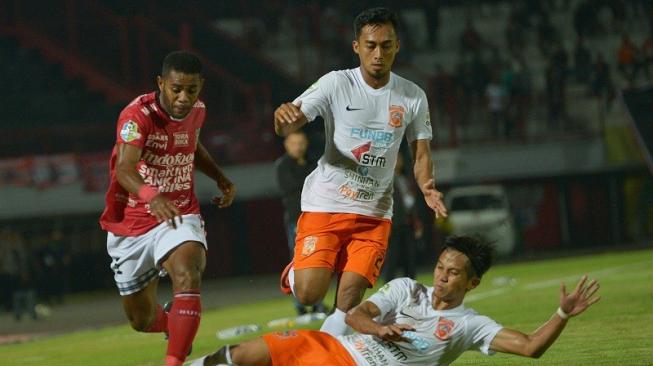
point(535, 344)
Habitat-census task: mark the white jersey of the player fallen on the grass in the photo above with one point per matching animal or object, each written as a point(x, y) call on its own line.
point(440, 336)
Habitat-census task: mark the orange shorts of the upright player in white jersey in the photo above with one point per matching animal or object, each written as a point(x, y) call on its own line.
point(342, 242)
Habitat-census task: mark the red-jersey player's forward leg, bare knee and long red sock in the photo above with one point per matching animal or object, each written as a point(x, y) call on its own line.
point(185, 265)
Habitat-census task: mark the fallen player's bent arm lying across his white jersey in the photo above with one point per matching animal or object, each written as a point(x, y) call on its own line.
point(361, 319)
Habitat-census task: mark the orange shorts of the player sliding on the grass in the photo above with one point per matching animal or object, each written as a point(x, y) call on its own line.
point(306, 347)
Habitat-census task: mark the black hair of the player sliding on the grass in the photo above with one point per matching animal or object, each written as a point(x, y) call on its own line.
point(480, 253)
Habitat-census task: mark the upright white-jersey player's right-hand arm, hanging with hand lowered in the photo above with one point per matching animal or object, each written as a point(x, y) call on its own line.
point(423, 170)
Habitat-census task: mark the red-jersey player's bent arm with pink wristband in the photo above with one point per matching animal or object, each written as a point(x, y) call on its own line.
point(128, 157)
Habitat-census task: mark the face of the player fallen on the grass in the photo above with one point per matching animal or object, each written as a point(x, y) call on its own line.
point(450, 279)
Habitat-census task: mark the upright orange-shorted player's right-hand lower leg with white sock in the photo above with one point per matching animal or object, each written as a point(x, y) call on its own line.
point(349, 293)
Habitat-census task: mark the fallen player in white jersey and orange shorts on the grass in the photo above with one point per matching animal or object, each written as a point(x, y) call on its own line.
point(407, 323)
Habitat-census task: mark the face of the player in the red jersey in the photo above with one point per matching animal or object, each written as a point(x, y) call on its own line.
point(179, 92)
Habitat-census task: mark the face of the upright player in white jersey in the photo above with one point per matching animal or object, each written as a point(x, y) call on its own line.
point(376, 47)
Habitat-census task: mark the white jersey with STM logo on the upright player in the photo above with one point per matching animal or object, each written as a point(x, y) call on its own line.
point(364, 129)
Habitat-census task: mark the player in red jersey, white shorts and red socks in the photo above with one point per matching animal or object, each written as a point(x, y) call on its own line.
point(152, 215)
